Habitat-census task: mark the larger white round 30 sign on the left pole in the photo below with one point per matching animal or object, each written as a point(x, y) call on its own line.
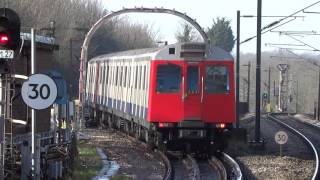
point(39, 92)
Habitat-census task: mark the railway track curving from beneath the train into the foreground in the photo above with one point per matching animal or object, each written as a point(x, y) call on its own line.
point(179, 167)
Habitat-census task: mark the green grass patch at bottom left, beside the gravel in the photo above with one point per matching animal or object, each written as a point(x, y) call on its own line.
point(87, 164)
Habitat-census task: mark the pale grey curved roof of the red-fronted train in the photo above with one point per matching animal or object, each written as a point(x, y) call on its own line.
point(178, 51)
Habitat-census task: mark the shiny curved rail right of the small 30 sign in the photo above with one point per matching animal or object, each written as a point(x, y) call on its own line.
point(315, 174)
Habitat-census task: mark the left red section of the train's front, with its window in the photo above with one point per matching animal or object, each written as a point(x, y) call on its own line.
point(165, 93)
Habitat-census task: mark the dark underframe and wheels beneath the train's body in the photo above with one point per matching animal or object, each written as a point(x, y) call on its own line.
point(202, 139)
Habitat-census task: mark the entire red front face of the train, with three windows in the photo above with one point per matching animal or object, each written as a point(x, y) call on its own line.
point(181, 90)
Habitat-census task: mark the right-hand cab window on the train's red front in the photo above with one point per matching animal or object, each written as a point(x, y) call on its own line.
point(217, 79)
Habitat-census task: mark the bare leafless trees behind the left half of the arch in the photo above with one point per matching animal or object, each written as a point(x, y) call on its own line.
point(73, 18)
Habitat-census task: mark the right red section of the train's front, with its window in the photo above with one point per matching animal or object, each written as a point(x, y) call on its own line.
point(218, 102)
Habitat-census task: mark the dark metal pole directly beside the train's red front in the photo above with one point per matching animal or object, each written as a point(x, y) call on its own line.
point(237, 69)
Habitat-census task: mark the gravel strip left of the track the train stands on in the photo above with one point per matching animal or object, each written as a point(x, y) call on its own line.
point(135, 161)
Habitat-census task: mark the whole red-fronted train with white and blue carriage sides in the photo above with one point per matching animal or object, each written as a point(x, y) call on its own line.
point(177, 95)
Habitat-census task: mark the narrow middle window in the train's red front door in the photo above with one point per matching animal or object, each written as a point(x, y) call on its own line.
point(193, 79)
